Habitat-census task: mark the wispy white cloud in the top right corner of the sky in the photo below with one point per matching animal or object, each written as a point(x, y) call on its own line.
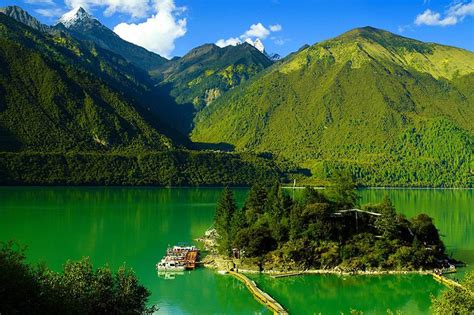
point(453, 15)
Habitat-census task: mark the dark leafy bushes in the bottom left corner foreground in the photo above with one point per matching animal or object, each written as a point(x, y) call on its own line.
point(78, 289)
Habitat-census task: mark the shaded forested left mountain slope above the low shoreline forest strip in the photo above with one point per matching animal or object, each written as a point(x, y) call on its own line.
point(61, 94)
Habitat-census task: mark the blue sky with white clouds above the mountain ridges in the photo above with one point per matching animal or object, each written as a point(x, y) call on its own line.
point(173, 27)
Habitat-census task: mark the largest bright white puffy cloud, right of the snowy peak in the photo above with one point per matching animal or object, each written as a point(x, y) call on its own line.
point(159, 32)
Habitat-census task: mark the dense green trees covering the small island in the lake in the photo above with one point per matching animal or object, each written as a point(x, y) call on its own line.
point(325, 230)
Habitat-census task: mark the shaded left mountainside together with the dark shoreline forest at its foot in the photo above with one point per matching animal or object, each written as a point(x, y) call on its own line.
point(74, 113)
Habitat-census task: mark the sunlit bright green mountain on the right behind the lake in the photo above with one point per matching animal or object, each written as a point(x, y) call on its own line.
point(392, 110)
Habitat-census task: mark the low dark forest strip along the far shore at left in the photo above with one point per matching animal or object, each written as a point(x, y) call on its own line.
point(166, 168)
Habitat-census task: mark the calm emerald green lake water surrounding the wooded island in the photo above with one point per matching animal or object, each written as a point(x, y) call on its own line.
point(135, 225)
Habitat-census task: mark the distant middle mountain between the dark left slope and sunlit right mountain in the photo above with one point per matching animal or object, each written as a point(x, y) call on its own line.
point(208, 71)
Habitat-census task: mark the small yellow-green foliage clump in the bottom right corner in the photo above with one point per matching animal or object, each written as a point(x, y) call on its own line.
point(457, 300)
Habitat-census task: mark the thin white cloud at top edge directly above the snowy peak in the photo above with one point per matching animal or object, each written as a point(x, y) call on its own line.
point(135, 8)
